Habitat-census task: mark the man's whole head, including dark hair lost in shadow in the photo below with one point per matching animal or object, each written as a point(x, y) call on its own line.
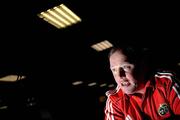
point(129, 68)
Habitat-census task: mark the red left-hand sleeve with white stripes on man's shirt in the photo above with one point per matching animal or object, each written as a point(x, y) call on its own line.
point(112, 112)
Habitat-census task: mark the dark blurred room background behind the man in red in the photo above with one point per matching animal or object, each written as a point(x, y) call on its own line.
point(52, 73)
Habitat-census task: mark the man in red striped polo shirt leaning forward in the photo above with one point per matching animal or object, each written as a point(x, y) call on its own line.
point(140, 94)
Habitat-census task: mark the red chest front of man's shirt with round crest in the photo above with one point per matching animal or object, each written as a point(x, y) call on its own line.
point(154, 106)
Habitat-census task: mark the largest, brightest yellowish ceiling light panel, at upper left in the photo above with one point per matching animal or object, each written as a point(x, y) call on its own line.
point(60, 16)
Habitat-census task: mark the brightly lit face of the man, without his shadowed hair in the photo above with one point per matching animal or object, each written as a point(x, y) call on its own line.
point(123, 72)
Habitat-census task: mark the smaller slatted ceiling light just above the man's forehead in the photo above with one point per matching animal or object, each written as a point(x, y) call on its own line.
point(102, 45)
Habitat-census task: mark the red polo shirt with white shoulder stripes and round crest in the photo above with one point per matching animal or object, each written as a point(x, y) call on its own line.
point(160, 101)
